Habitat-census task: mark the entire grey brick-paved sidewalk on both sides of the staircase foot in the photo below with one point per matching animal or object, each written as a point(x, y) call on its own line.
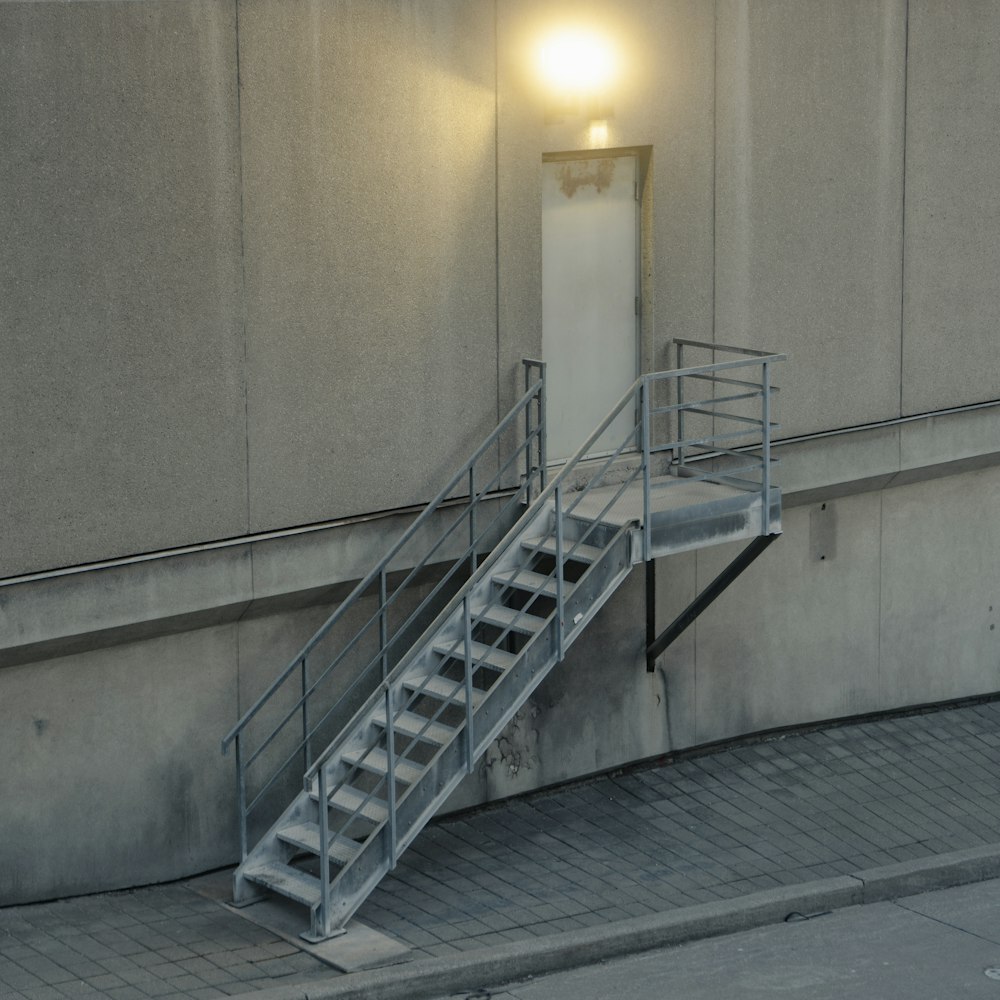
point(787, 810)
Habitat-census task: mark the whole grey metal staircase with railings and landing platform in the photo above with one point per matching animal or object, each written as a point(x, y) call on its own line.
point(425, 707)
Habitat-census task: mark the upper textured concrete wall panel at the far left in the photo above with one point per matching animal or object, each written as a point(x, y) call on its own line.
point(121, 358)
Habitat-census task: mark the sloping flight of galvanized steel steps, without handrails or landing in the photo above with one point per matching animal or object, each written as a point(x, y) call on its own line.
point(448, 700)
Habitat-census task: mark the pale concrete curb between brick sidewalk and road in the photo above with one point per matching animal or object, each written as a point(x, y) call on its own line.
point(553, 953)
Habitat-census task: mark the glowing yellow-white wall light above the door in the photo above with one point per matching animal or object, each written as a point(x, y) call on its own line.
point(577, 66)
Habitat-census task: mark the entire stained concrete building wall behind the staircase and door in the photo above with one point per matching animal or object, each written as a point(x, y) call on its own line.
point(267, 266)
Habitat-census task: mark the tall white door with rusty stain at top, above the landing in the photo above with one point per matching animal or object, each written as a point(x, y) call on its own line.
point(590, 272)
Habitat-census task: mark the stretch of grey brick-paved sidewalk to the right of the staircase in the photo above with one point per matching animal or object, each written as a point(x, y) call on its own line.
point(784, 811)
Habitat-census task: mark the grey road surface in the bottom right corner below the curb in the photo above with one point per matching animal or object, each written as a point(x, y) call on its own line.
point(937, 946)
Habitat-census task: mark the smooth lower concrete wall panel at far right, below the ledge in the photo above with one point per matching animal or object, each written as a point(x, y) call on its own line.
point(940, 635)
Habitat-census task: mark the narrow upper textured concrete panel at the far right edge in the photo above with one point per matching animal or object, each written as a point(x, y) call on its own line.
point(951, 309)
